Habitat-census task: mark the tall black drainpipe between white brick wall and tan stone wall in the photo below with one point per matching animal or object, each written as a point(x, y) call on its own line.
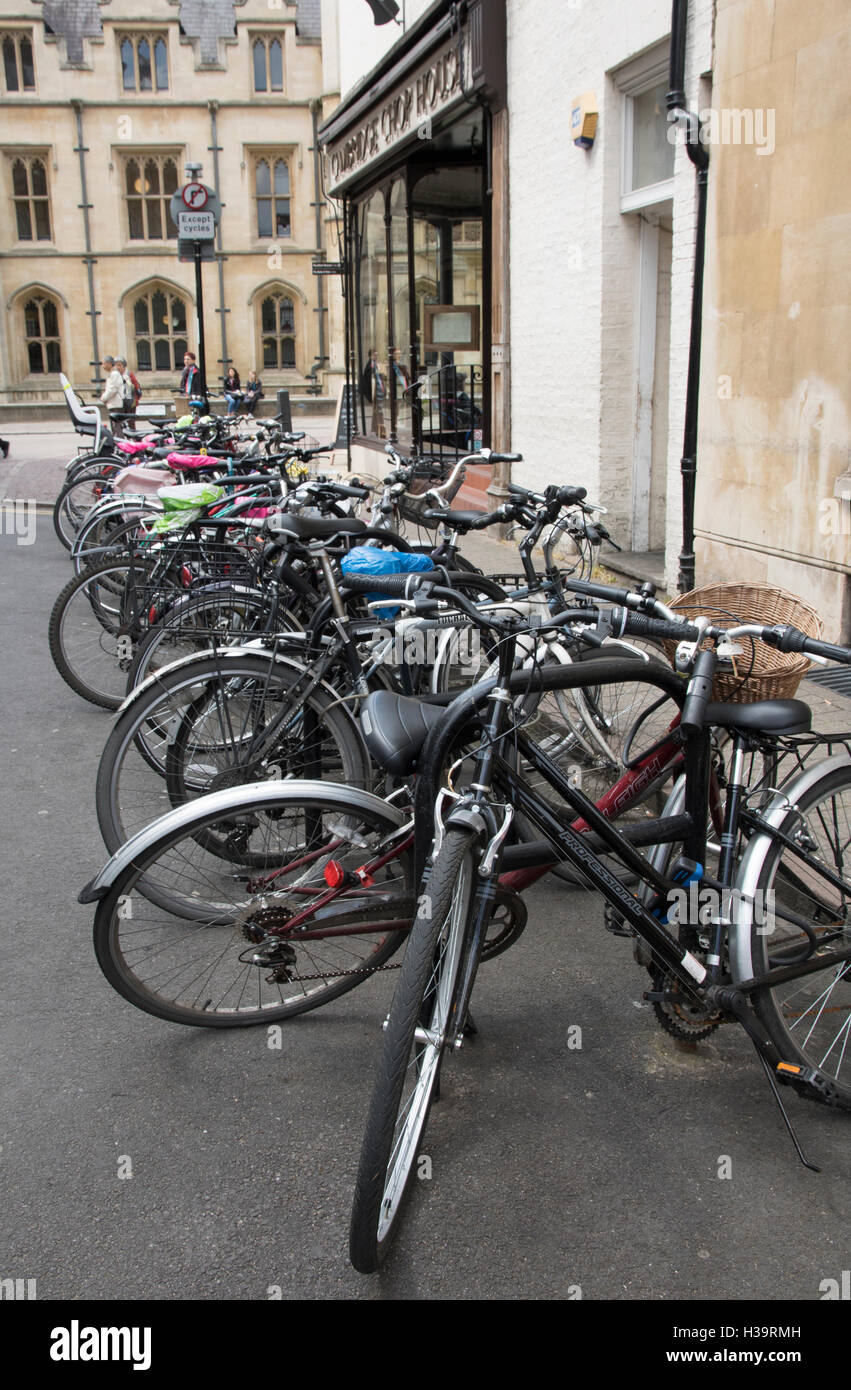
point(700, 158)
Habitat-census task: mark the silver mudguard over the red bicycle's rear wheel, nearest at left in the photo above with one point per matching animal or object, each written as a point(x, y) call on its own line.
point(234, 799)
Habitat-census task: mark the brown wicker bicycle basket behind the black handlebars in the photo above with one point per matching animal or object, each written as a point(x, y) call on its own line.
point(760, 672)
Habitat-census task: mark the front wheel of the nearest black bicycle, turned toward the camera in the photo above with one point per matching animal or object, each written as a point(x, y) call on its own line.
point(422, 1025)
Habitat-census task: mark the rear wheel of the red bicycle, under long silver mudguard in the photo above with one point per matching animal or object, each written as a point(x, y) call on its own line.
point(186, 967)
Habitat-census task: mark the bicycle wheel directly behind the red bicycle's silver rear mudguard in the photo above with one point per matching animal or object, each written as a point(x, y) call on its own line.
point(138, 780)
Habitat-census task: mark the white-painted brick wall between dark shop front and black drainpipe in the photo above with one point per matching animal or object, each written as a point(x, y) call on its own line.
point(574, 255)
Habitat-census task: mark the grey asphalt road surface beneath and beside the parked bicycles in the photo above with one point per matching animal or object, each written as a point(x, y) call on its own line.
point(554, 1167)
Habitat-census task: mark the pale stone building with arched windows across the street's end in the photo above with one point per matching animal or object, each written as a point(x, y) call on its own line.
point(104, 105)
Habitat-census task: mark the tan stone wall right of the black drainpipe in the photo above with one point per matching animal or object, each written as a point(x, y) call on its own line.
point(774, 501)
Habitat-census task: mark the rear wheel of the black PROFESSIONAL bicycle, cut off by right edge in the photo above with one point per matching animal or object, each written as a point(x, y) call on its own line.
point(810, 1018)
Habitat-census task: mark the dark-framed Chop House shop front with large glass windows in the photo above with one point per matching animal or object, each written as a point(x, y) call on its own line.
point(411, 156)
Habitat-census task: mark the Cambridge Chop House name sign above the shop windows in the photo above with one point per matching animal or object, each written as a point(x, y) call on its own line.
point(408, 109)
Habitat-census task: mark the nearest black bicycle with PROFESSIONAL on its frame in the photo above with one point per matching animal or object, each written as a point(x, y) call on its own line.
point(786, 978)
